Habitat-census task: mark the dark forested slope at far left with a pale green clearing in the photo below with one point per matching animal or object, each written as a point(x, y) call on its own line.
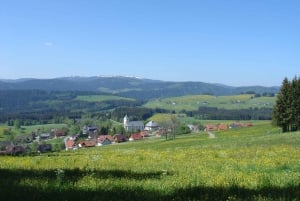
point(31, 107)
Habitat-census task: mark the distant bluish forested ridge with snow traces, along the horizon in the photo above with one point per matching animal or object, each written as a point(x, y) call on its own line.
point(130, 86)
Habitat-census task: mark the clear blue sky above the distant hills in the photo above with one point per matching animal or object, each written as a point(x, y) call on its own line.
point(232, 42)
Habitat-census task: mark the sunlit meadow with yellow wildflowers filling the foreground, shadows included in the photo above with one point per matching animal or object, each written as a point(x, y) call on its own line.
point(254, 163)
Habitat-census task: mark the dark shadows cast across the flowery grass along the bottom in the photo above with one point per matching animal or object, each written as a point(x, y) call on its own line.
point(11, 189)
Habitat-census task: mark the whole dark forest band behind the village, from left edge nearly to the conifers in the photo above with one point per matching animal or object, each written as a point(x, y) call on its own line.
point(39, 107)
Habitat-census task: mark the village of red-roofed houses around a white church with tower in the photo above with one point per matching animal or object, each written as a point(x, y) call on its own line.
point(90, 136)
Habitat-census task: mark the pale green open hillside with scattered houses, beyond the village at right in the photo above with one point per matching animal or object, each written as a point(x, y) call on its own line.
point(190, 103)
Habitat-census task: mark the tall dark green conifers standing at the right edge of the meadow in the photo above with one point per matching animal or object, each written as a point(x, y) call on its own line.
point(286, 112)
